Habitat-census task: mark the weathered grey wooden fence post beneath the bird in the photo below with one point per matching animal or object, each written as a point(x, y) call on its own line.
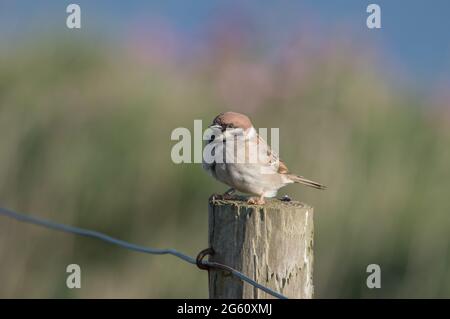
point(272, 244)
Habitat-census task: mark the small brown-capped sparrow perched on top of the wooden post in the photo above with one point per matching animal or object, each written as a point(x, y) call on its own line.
point(258, 171)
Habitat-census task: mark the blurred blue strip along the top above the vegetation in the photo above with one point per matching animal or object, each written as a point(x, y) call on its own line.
point(415, 34)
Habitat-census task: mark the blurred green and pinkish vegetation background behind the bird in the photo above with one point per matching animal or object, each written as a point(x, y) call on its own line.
point(86, 141)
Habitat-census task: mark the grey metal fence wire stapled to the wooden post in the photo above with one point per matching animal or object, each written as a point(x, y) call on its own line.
point(203, 264)
